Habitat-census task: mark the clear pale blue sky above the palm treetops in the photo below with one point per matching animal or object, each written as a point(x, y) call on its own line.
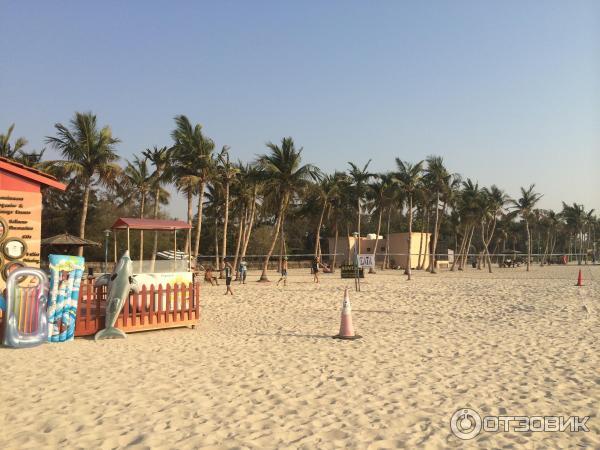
point(507, 92)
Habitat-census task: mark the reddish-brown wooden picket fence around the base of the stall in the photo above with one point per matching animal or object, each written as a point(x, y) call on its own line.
point(152, 308)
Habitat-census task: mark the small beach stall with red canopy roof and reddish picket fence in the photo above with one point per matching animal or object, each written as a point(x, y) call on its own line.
point(168, 297)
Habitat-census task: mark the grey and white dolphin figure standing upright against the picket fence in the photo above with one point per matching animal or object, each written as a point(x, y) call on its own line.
point(120, 284)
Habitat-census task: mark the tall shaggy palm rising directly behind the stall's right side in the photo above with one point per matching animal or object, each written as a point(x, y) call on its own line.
point(191, 163)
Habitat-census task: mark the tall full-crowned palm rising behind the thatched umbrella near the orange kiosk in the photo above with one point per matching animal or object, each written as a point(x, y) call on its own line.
point(89, 154)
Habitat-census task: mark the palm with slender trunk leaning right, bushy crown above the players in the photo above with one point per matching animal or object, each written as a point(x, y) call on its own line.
point(285, 174)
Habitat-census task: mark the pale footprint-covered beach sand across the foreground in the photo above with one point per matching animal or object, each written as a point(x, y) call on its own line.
point(262, 371)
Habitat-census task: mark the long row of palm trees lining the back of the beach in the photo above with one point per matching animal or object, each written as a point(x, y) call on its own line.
point(278, 191)
